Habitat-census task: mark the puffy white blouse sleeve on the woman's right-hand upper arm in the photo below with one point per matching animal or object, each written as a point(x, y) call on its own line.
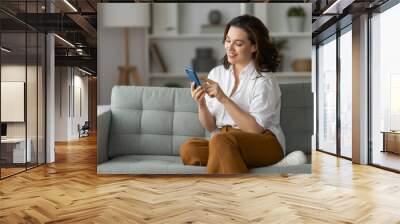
point(266, 102)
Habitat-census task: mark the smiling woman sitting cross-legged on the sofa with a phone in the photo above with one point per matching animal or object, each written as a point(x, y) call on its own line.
point(239, 103)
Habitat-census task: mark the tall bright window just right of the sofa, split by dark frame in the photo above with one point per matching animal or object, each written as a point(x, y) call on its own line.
point(328, 97)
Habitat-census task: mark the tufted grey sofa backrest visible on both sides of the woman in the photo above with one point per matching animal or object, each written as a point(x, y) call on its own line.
point(157, 120)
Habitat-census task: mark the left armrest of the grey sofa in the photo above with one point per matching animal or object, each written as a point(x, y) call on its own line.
point(103, 126)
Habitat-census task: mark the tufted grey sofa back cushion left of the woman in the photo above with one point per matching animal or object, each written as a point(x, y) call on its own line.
point(151, 120)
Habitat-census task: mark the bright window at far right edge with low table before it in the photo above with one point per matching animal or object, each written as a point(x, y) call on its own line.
point(385, 84)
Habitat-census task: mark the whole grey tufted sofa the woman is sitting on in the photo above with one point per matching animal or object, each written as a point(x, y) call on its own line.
point(142, 130)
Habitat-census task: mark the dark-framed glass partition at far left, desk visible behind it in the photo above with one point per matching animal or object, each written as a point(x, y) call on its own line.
point(22, 75)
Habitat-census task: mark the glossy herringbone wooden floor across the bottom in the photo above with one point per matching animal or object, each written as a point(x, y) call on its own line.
point(70, 191)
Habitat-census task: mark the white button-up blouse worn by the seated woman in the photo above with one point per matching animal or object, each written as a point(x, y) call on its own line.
point(258, 94)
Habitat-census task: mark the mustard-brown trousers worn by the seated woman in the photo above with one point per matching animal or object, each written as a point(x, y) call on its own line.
point(232, 151)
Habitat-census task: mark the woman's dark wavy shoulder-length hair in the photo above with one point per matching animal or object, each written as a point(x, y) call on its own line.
point(266, 57)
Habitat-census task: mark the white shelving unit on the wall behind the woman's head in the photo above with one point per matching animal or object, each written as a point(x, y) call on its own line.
point(177, 33)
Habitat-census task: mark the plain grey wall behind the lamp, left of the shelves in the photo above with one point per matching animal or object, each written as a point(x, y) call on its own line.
point(110, 55)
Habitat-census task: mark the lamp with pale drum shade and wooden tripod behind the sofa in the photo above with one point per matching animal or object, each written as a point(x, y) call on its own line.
point(125, 16)
